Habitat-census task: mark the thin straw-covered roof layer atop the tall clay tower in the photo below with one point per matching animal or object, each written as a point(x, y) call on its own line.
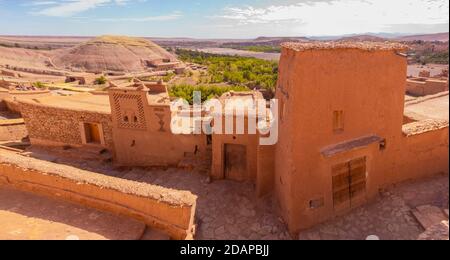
point(366, 46)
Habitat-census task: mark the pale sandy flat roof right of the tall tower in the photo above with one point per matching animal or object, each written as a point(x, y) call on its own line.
point(429, 107)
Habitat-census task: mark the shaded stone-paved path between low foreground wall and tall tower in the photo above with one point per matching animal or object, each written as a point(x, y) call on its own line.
point(226, 210)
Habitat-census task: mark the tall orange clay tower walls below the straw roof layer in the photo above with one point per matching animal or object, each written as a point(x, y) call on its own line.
point(366, 88)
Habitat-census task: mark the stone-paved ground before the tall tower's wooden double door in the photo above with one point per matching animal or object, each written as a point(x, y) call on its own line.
point(389, 217)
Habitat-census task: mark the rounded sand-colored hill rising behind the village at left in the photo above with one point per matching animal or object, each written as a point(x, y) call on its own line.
point(111, 53)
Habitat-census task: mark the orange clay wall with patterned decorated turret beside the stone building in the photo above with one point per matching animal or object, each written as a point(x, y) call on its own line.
point(146, 138)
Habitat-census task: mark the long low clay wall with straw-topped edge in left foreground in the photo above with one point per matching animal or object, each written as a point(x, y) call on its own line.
point(166, 210)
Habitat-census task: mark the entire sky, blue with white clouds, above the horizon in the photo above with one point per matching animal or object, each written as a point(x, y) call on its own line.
point(222, 18)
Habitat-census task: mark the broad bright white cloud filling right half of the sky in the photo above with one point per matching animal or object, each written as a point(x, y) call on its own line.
point(341, 17)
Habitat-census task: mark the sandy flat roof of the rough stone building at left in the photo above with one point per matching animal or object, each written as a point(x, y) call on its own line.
point(80, 102)
